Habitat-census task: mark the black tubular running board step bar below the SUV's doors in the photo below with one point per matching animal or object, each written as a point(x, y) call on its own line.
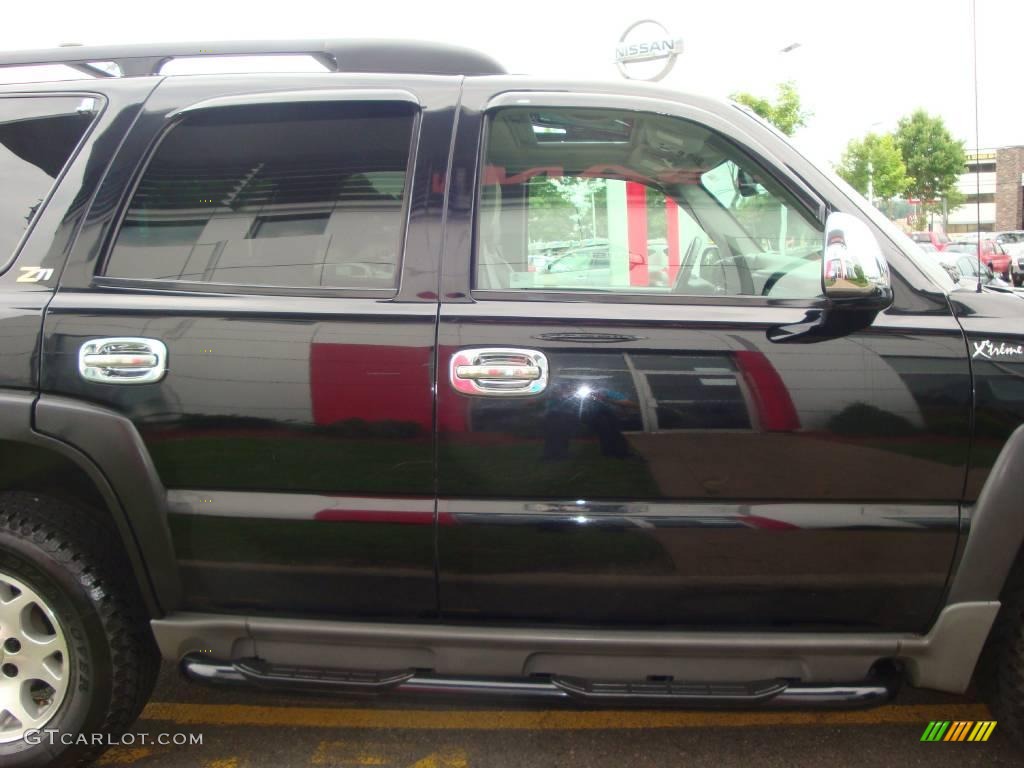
point(769, 694)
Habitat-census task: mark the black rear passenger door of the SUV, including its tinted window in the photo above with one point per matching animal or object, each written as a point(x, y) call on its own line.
point(255, 289)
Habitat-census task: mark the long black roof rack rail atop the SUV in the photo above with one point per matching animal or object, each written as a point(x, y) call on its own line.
point(364, 56)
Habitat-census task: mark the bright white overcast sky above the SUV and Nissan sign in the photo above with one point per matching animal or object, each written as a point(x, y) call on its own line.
point(861, 65)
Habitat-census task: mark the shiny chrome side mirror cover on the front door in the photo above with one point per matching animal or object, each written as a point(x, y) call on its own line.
point(855, 273)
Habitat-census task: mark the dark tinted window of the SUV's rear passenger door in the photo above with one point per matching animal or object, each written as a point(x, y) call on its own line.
point(295, 196)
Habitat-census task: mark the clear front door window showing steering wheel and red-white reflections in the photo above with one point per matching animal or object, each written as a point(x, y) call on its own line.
point(625, 202)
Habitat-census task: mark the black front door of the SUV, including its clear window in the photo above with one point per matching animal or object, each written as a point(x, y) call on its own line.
point(657, 448)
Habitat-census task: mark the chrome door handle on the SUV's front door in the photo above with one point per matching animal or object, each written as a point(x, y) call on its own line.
point(499, 372)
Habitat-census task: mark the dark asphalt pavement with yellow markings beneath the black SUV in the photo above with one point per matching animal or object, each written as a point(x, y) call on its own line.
point(245, 730)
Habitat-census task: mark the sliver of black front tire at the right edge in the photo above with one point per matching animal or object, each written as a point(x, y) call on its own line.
point(1001, 670)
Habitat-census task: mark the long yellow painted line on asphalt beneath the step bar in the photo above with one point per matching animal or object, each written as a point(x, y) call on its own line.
point(304, 717)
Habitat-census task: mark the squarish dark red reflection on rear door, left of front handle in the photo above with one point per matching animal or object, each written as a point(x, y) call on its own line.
point(370, 382)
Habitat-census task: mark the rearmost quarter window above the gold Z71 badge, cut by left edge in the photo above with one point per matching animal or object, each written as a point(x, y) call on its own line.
point(38, 136)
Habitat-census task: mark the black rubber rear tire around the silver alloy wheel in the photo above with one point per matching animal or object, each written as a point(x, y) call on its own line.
point(71, 561)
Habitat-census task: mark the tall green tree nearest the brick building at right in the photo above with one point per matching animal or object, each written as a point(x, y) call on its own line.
point(933, 158)
